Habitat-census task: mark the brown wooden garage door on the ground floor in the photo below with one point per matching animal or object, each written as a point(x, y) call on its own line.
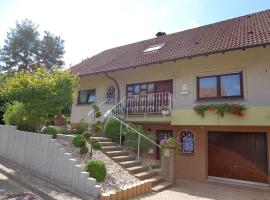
point(236, 155)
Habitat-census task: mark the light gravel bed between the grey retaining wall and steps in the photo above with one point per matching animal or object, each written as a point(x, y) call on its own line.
point(117, 176)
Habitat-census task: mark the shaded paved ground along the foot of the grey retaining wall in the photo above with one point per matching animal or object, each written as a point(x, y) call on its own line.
point(16, 181)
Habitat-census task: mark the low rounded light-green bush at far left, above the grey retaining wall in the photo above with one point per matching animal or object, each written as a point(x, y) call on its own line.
point(16, 114)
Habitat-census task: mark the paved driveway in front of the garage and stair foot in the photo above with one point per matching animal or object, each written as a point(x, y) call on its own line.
point(202, 191)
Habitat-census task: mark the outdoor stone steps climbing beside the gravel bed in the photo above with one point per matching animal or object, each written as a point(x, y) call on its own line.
point(133, 166)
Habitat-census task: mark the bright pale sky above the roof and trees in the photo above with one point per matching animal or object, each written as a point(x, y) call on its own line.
point(91, 26)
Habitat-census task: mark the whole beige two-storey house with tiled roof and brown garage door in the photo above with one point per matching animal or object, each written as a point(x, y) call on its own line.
point(160, 81)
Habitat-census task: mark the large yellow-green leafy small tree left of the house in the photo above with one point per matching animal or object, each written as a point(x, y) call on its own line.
point(42, 93)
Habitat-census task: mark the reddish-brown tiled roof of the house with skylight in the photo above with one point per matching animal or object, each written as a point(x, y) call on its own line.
point(242, 32)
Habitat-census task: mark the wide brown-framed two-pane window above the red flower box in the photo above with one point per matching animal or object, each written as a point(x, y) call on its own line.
point(220, 86)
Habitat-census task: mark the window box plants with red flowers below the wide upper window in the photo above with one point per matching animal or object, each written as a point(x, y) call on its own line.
point(221, 109)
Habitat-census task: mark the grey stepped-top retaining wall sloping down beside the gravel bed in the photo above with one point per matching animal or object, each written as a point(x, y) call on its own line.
point(45, 157)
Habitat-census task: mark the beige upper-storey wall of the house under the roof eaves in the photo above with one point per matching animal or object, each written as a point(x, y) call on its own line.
point(255, 64)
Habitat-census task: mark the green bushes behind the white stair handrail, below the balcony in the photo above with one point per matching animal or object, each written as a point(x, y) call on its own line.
point(131, 138)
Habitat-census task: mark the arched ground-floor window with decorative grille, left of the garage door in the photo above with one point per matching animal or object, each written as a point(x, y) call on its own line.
point(187, 142)
